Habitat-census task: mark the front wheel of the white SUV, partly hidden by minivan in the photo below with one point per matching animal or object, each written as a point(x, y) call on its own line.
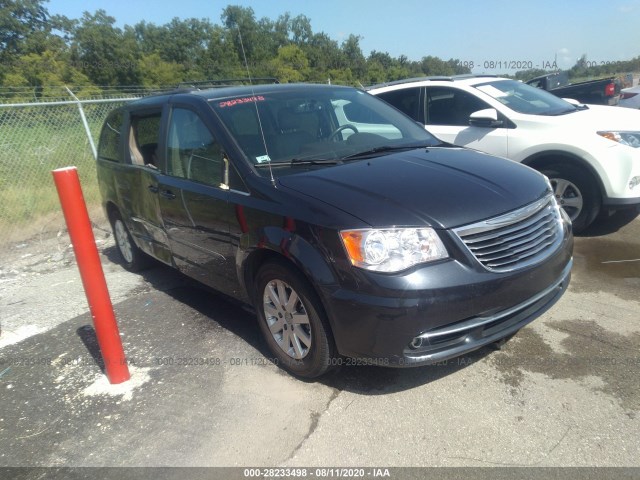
point(576, 192)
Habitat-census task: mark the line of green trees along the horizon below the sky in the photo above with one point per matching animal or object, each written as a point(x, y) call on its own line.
point(39, 51)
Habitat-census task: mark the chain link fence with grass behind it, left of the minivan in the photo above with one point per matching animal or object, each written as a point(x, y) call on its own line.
point(36, 138)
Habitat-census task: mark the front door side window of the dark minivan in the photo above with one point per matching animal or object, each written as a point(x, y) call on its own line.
point(192, 152)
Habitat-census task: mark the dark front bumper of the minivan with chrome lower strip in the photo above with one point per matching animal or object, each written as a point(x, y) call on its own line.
point(464, 311)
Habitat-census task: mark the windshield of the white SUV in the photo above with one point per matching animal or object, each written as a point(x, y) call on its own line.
point(524, 98)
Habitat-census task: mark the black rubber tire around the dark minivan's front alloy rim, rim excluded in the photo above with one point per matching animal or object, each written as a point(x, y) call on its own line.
point(318, 359)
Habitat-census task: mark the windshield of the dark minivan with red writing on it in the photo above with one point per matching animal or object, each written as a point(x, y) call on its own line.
point(316, 126)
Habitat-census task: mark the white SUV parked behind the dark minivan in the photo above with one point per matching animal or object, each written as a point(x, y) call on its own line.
point(590, 153)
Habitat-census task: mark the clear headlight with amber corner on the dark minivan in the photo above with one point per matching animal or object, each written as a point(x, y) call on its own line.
point(392, 249)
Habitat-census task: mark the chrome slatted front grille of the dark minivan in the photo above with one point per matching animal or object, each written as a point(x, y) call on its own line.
point(517, 239)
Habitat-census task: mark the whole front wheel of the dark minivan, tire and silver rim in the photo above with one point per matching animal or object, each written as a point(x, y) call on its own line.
point(293, 321)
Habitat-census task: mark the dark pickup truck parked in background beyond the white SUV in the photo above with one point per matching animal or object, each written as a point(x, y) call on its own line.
point(604, 91)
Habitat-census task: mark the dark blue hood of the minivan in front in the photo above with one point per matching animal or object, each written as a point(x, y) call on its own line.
point(444, 187)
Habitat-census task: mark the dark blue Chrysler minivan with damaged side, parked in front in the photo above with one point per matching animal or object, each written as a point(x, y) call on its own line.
point(351, 230)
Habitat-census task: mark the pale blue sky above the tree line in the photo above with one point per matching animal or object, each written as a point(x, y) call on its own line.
point(491, 36)
